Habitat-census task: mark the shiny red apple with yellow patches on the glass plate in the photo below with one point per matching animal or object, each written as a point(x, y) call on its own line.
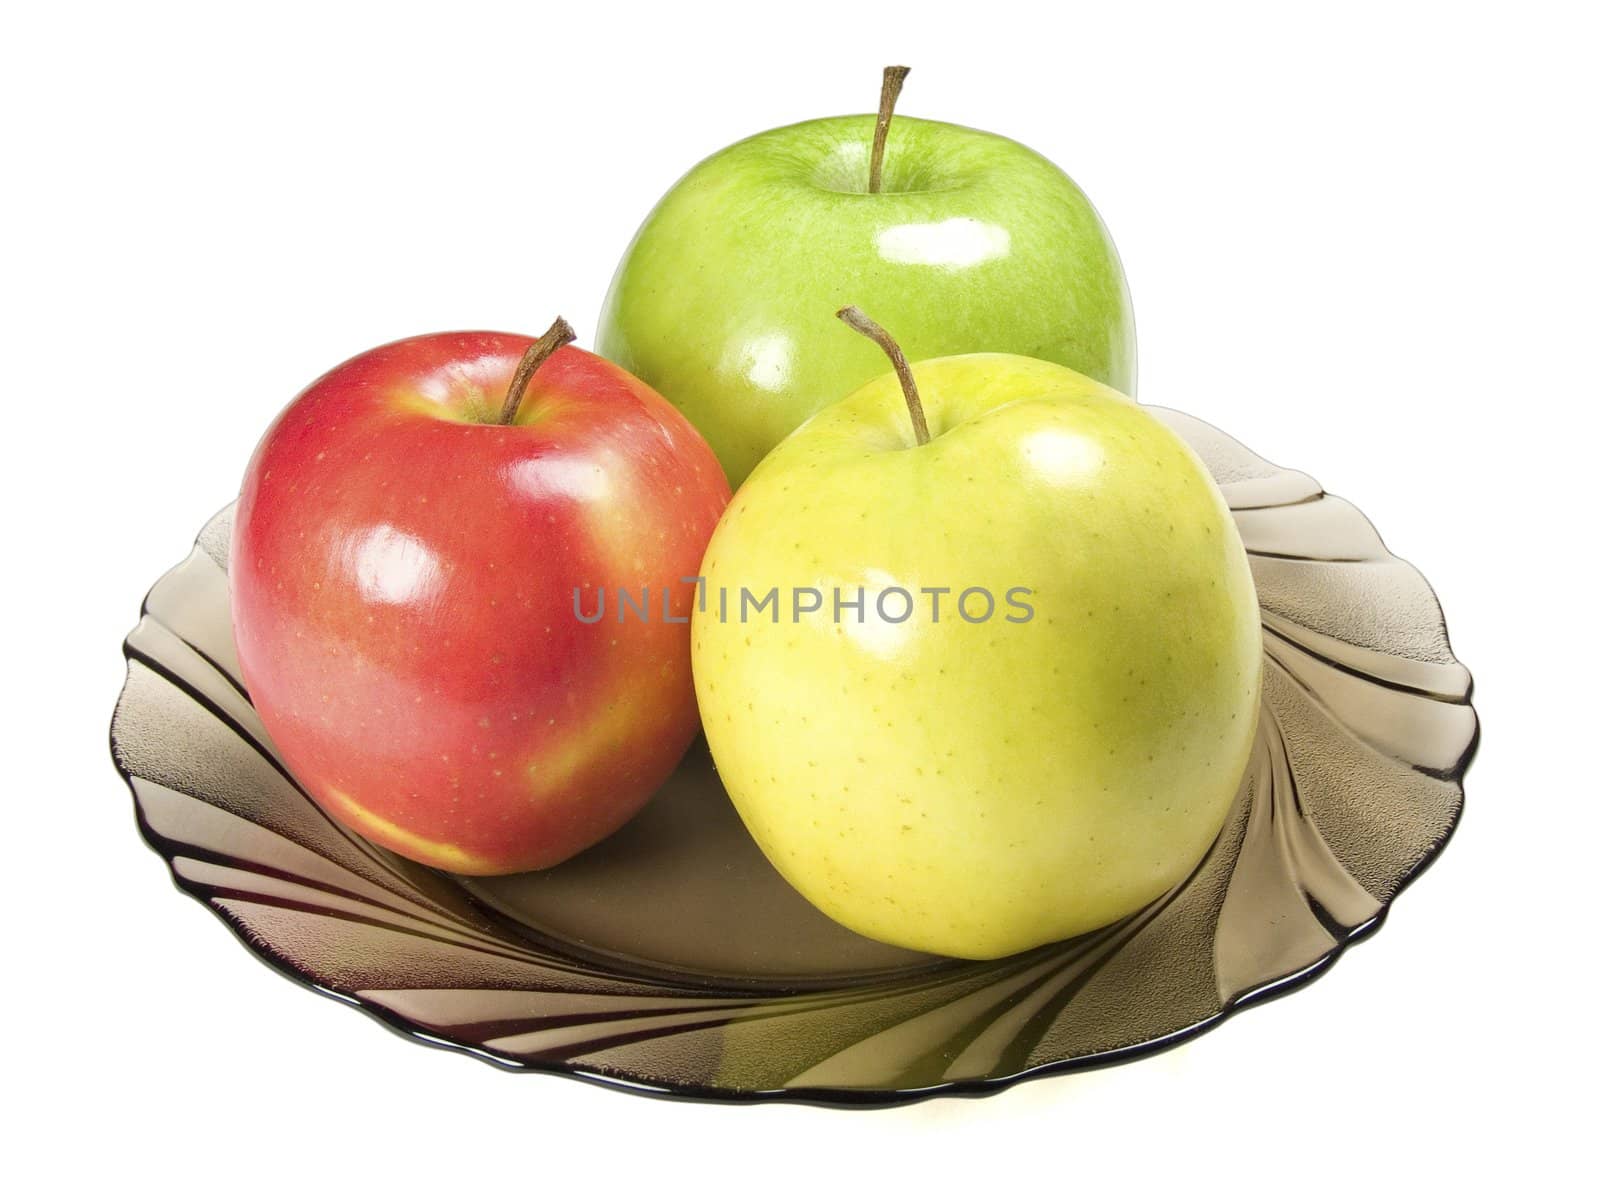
point(402, 585)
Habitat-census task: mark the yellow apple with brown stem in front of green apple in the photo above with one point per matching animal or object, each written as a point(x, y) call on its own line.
point(978, 655)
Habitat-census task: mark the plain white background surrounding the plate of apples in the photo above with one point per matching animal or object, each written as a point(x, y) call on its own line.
point(1362, 239)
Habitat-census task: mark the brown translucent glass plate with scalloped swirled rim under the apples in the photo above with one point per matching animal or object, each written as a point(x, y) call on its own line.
point(674, 961)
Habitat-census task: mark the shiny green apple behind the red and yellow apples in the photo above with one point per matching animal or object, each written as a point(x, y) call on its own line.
point(726, 298)
